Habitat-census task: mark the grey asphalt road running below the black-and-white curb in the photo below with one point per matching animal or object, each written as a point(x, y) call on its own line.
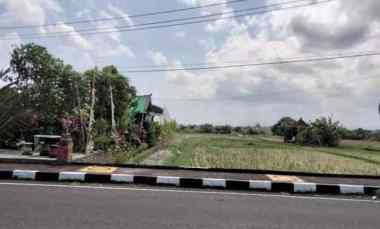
point(31, 206)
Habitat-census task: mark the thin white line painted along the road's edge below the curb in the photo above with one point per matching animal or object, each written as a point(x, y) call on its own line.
point(186, 191)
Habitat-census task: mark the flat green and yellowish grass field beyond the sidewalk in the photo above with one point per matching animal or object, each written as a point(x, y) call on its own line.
point(269, 153)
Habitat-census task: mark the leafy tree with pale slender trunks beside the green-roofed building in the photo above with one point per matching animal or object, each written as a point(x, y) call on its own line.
point(111, 94)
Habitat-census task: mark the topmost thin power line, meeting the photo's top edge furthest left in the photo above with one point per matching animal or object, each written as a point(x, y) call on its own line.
point(121, 17)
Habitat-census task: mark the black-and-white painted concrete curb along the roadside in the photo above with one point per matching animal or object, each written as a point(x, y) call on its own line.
point(259, 185)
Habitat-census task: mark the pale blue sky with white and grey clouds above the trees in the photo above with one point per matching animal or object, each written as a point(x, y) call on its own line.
point(346, 89)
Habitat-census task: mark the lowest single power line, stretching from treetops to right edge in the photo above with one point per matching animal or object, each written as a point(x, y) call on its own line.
point(318, 59)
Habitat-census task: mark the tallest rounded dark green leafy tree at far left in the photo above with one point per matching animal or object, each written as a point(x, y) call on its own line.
point(45, 83)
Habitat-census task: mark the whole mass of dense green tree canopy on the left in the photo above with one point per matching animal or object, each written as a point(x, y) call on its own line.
point(42, 88)
